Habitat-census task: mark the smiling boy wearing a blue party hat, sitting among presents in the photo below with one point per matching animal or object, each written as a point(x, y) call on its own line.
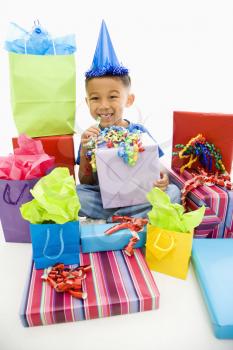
point(108, 93)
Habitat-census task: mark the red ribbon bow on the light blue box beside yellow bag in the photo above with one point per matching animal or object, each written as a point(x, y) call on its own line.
point(133, 224)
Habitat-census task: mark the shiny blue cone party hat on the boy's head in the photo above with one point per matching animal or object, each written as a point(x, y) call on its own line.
point(105, 61)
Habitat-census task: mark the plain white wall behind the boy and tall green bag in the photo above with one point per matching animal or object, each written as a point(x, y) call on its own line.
point(179, 53)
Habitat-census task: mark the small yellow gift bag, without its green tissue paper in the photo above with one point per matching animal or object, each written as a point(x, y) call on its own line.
point(168, 252)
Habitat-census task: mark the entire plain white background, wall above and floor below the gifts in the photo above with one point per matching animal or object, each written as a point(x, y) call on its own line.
point(180, 56)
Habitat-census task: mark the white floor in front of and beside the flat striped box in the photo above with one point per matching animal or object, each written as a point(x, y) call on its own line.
point(181, 322)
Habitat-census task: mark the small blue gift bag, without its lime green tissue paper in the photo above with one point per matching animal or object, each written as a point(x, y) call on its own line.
point(55, 243)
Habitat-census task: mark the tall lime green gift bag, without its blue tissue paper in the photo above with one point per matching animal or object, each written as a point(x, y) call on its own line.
point(43, 93)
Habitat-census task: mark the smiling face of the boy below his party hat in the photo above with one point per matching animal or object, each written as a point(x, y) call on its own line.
point(106, 98)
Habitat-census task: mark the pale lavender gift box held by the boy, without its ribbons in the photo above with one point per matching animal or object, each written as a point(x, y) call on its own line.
point(122, 185)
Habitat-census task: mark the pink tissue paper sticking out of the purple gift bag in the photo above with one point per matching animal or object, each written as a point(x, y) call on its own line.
point(29, 161)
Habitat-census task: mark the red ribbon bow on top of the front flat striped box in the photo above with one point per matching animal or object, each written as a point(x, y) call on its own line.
point(67, 280)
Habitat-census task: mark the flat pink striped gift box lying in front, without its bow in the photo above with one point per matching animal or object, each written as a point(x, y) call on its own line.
point(116, 285)
